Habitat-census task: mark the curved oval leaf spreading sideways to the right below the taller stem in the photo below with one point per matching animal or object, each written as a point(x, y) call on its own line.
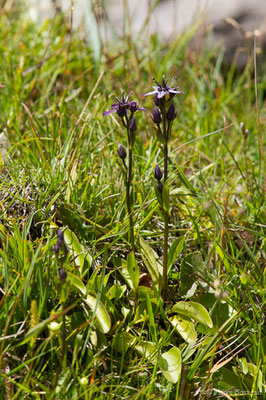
point(193, 310)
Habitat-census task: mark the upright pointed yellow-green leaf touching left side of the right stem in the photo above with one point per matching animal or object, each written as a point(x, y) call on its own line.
point(152, 263)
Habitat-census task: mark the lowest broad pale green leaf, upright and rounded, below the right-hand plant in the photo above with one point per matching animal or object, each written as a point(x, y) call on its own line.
point(170, 364)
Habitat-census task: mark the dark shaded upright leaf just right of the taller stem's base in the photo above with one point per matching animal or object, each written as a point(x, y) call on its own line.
point(191, 264)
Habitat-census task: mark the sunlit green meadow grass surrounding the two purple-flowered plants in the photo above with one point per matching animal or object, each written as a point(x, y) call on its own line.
point(83, 338)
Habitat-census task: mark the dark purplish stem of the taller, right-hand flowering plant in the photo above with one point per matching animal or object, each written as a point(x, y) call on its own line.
point(166, 229)
